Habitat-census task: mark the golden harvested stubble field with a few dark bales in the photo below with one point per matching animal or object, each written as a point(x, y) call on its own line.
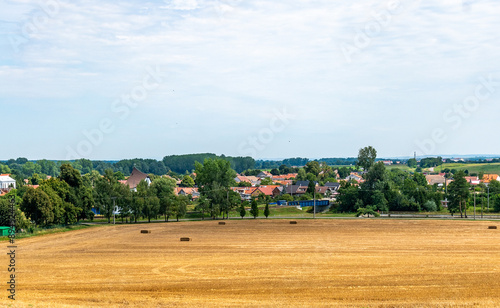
point(334, 262)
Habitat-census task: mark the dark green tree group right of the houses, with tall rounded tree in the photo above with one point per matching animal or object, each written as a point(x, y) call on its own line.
point(397, 190)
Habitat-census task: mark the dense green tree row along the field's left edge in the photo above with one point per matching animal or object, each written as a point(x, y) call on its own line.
point(70, 197)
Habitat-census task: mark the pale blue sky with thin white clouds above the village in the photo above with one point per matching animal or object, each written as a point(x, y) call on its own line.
point(269, 79)
